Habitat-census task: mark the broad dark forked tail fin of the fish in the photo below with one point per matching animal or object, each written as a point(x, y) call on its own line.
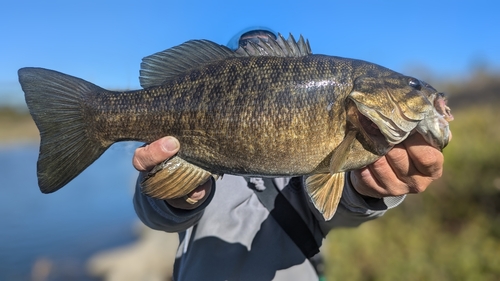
point(55, 103)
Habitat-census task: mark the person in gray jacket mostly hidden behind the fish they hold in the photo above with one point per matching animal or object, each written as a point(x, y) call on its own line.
point(229, 230)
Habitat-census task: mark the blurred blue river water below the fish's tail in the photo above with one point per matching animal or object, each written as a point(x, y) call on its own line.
point(92, 213)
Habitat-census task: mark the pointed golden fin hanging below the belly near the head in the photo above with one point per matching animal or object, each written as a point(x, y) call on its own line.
point(325, 191)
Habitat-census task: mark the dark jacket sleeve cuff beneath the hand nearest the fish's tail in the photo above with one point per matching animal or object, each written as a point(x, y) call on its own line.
point(157, 214)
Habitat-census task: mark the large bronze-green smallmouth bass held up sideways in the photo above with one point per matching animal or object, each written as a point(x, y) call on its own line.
point(271, 108)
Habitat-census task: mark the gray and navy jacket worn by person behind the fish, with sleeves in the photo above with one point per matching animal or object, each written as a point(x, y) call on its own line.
point(232, 237)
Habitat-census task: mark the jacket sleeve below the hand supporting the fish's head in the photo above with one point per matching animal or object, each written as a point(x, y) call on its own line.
point(355, 209)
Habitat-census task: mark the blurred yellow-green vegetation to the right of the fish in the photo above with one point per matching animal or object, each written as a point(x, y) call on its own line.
point(452, 230)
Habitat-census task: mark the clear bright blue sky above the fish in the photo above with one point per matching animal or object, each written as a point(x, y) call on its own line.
point(104, 41)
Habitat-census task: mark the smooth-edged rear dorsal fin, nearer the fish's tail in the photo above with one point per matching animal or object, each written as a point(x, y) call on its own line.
point(162, 66)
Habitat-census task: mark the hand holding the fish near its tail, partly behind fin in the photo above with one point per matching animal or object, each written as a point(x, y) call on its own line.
point(150, 155)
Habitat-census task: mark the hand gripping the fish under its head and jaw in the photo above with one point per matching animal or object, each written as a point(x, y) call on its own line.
point(408, 168)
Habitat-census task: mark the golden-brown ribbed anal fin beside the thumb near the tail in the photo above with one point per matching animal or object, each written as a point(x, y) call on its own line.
point(173, 178)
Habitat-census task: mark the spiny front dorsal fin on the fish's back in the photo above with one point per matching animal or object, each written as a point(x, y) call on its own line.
point(276, 48)
